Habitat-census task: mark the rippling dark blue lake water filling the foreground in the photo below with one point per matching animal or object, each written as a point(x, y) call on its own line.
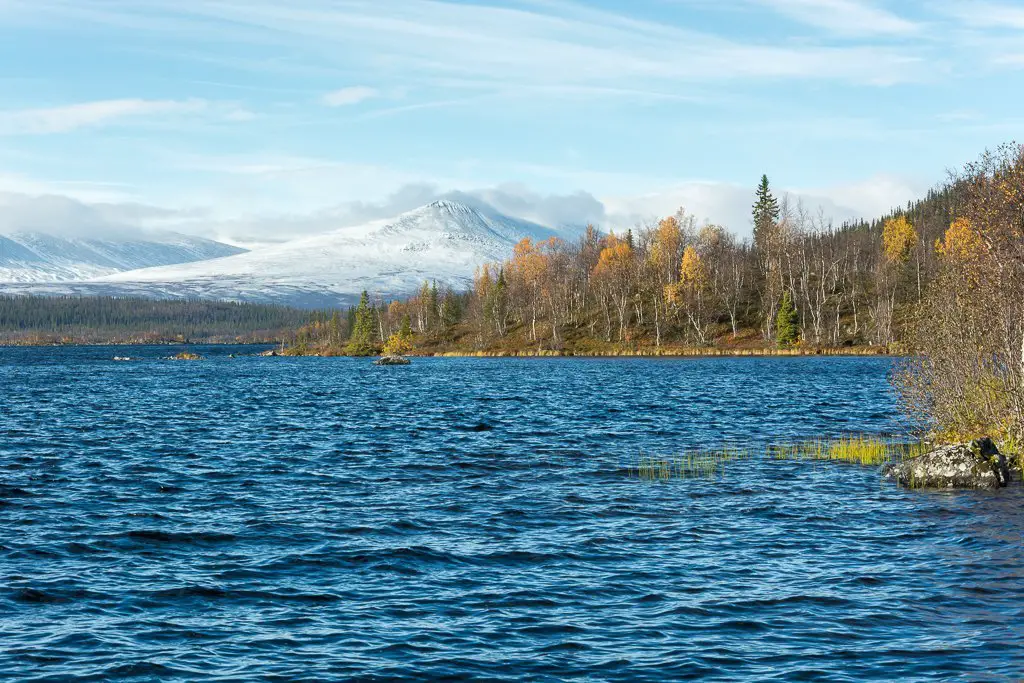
point(324, 520)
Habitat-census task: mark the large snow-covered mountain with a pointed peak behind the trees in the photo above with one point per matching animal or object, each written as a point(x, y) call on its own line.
point(445, 241)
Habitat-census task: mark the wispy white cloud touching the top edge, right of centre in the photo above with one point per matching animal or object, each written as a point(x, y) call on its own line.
point(856, 18)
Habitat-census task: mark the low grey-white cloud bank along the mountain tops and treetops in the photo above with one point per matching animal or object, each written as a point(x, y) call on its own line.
point(719, 203)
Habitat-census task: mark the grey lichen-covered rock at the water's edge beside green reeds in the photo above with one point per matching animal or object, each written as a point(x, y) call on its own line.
point(975, 465)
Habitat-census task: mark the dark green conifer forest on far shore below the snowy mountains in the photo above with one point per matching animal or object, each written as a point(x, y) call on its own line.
point(98, 320)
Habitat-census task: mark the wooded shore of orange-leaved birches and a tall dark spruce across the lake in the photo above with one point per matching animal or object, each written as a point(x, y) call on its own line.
point(800, 282)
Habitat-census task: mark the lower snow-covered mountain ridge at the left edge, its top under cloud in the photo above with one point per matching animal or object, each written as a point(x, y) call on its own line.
point(40, 258)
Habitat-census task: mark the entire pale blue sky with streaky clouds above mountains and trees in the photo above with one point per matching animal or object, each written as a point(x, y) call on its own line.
point(261, 120)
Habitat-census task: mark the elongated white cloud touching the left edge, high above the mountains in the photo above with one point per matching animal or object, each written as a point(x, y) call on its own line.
point(73, 117)
